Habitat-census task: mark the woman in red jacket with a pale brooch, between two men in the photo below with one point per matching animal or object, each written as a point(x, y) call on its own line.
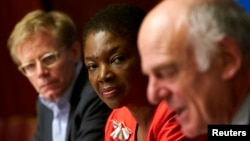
point(113, 63)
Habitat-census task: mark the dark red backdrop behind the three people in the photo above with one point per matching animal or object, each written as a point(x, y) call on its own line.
point(17, 96)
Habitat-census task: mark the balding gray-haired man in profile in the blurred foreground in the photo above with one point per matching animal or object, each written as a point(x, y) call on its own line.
point(197, 58)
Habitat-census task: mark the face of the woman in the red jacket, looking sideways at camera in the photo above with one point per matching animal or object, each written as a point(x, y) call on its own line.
point(114, 69)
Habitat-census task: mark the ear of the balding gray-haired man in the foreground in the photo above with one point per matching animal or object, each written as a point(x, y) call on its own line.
point(231, 57)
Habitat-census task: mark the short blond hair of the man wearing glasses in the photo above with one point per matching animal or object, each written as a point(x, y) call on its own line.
point(61, 26)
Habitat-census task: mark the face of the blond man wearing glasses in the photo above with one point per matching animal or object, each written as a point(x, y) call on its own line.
point(52, 81)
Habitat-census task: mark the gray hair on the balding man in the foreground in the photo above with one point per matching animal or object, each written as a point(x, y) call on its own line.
point(212, 20)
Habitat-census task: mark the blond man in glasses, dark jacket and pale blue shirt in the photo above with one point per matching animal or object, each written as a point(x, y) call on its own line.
point(44, 45)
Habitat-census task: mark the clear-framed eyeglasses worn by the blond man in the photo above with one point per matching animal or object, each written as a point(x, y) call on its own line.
point(48, 60)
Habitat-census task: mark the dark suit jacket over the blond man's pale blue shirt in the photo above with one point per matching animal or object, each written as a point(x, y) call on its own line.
point(87, 118)
